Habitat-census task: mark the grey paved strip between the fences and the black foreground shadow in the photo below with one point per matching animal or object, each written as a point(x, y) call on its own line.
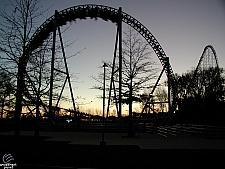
point(145, 140)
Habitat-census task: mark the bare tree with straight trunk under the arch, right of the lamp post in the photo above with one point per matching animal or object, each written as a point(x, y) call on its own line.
point(138, 70)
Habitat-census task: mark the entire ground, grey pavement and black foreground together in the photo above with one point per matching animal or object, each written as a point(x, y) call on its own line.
point(81, 149)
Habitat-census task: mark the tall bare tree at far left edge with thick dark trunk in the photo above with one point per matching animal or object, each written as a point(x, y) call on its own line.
point(19, 19)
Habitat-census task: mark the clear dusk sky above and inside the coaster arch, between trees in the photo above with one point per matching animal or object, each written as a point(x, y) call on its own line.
point(182, 27)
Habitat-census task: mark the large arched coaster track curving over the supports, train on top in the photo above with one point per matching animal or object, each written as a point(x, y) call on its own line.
point(108, 14)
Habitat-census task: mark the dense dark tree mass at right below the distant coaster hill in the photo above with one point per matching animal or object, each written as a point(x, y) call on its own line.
point(202, 102)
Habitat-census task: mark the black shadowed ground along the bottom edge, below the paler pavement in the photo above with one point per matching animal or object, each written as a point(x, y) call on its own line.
point(39, 153)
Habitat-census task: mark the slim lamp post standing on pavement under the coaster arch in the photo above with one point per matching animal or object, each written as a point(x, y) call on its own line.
point(103, 143)
